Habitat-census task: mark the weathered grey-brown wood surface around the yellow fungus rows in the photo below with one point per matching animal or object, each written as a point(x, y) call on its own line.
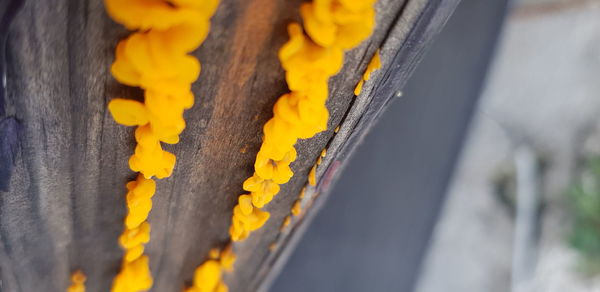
point(65, 206)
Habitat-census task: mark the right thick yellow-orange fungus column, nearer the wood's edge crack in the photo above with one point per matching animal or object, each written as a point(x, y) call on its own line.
point(309, 58)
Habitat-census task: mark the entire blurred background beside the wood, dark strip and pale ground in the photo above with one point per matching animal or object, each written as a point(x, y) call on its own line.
point(484, 175)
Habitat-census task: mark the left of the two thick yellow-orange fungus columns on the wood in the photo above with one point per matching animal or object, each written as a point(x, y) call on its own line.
point(155, 57)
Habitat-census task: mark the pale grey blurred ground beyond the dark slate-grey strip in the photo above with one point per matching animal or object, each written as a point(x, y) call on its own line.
point(544, 90)
